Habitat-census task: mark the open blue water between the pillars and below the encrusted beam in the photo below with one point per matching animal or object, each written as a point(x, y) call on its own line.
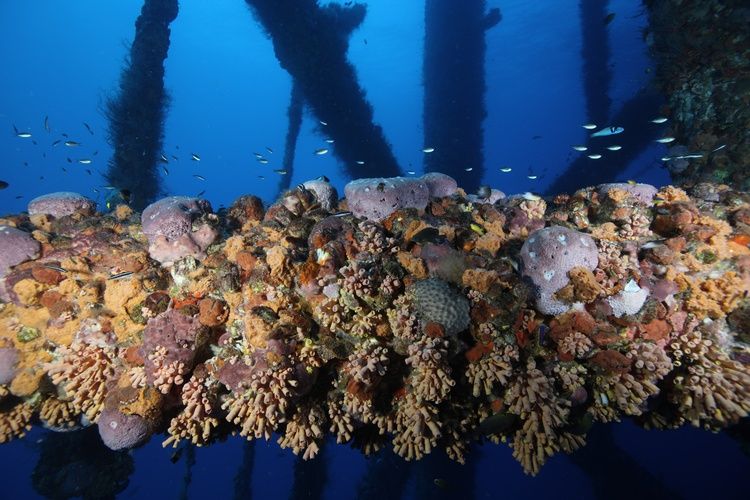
point(229, 97)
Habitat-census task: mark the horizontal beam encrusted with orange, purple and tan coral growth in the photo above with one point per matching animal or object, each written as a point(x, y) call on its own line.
point(407, 312)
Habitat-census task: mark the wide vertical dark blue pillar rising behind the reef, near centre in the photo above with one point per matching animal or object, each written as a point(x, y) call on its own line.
point(454, 87)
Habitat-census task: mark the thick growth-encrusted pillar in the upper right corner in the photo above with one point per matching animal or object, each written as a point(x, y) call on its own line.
point(700, 47)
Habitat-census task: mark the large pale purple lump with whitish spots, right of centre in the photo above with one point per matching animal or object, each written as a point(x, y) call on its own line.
point(547, 256)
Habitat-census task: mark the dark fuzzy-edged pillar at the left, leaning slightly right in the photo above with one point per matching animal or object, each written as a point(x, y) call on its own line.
point(136, 114)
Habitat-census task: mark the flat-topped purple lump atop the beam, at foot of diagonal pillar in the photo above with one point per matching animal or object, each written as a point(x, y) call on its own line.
point(377, 198)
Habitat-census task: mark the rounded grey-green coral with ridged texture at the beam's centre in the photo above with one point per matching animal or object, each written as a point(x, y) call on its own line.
point(435, 301)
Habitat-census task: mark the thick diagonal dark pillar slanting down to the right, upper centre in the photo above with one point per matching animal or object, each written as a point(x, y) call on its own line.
point(311, 43)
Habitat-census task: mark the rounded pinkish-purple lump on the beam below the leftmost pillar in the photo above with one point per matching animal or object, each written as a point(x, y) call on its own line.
point(168, 225)
